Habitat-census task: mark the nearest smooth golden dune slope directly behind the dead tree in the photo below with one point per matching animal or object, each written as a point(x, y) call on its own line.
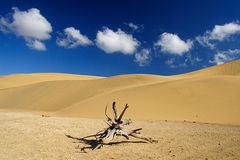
point(214, 100)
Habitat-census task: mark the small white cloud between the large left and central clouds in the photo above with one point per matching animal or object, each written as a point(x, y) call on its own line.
point(72, 38)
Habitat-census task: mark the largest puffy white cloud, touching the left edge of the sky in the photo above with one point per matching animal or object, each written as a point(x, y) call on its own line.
point(30, 25)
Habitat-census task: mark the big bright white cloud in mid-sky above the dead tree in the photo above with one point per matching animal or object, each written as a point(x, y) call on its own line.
point(119, 41)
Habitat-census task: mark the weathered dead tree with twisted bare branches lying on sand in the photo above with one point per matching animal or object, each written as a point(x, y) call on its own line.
point(116, 128)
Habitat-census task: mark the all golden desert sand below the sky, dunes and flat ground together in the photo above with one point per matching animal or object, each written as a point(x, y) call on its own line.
point(193, 115)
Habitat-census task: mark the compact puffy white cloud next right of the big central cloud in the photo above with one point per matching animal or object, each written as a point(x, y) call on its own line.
point(172, 44)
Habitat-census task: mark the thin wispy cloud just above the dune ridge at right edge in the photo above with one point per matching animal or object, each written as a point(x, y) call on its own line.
point(225, 56)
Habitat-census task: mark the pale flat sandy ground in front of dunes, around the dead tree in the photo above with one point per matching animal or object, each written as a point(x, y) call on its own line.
point(28, 136)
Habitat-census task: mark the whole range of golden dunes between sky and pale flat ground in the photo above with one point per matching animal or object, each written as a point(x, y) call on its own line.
point(209, 95)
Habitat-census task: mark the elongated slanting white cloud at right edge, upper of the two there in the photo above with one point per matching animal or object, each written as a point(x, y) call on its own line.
point(219, 33)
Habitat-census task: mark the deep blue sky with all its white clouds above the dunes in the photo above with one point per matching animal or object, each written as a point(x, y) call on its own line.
point(117, 37)
